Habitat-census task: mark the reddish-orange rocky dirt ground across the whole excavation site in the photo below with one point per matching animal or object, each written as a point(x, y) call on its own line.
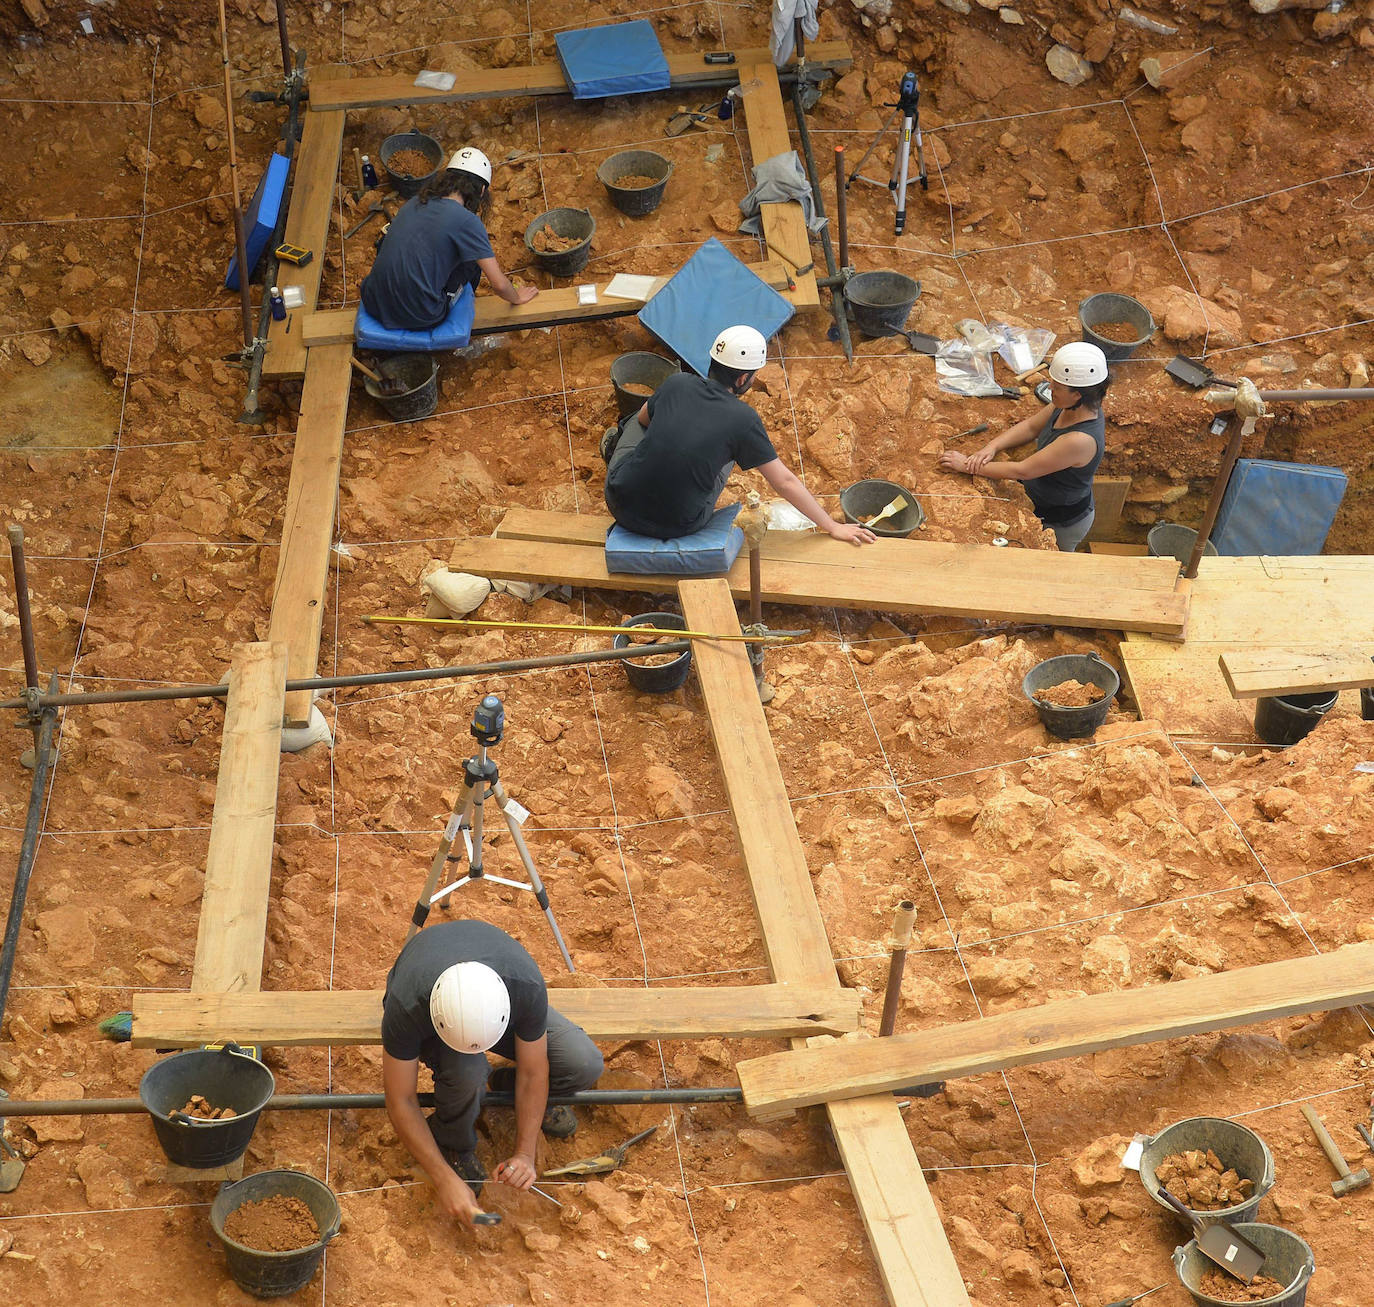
point(1233, 201)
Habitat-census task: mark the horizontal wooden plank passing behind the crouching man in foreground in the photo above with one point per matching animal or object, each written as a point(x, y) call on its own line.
point(355, 1016)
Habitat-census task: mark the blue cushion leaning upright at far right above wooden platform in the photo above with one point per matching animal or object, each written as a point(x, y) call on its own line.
point(1280, 509)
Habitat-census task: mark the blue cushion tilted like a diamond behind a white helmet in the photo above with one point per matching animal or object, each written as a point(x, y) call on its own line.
point(711, 292)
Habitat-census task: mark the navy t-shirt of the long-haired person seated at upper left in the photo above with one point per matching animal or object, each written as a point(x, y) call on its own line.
point(429, 252)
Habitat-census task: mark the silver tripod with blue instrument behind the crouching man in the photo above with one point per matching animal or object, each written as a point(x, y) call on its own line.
point(482, 781)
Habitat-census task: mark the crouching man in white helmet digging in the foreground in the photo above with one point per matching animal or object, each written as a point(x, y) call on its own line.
point(458, 990)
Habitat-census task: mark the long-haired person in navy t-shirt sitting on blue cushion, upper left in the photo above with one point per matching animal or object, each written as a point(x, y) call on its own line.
point(436, 247)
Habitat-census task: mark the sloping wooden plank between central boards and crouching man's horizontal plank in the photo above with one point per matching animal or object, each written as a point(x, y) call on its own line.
point(795, 937)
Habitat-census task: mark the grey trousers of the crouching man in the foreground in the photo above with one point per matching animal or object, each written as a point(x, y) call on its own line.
point(575, 1063)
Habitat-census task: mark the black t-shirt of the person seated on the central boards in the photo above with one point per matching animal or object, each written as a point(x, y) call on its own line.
point(696, 429)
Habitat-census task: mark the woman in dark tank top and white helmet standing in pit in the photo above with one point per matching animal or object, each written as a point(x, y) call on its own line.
point(1070, 436)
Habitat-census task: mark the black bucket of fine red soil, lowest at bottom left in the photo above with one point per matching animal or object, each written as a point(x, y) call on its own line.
point(274, 1228)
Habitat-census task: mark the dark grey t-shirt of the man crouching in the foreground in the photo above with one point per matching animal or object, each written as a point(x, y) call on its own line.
point(406, 1020)
